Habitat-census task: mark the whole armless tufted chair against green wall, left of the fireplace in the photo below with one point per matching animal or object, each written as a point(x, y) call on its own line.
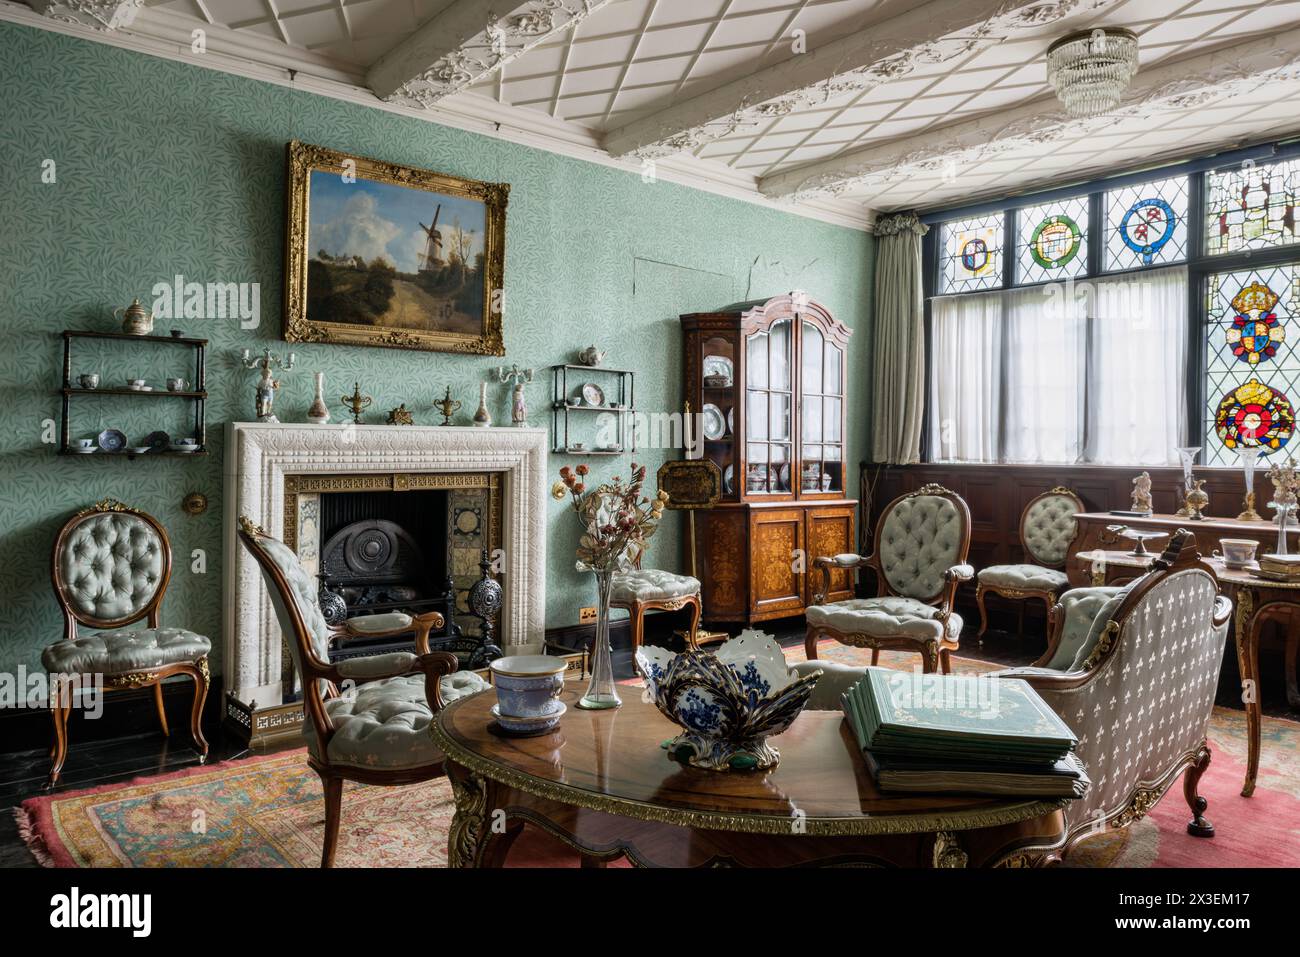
point(111, 568)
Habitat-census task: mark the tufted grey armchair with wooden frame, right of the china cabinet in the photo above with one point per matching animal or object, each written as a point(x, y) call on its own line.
point(922, 540)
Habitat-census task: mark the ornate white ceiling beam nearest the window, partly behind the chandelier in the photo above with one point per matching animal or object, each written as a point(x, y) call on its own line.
point(1182, 85)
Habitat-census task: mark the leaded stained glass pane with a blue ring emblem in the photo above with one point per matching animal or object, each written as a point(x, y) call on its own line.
point(1147, 224)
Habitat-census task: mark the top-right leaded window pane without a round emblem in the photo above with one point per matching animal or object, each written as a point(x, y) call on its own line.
point(1253, 207)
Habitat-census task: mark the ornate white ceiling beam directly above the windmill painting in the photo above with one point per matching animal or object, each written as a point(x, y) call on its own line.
point(469, 42)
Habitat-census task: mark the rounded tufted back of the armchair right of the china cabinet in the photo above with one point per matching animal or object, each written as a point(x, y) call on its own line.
point(922, 535)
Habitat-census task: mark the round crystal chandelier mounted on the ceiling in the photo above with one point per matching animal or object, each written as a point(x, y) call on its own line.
point(1091, 71)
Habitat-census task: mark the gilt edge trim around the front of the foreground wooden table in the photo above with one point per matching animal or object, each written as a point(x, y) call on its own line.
point(720, 821)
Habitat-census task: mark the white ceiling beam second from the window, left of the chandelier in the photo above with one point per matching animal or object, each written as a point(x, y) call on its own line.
point(935, 32)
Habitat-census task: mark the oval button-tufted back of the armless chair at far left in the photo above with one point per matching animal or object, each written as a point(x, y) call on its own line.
point(111, 566)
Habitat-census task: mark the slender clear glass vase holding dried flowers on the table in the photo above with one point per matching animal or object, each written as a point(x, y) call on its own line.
point(618, 521)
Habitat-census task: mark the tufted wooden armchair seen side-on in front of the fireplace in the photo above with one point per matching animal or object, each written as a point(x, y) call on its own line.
point(367, 718)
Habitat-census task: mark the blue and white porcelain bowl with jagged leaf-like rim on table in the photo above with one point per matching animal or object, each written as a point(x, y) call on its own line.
point(729, 701)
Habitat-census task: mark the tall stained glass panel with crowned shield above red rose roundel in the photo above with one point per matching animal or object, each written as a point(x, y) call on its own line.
point(1254, 374)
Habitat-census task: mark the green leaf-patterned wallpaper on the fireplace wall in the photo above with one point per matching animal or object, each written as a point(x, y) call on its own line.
point(163, 170)
